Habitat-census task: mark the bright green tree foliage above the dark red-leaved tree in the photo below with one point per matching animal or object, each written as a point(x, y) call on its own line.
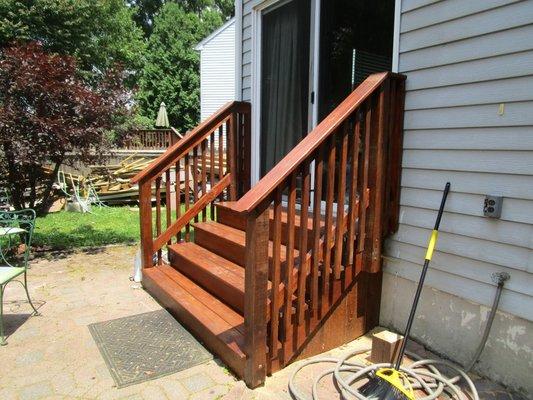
point(98, 33)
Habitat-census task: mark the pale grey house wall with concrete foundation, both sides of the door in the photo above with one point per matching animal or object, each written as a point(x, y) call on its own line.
point(463, 60)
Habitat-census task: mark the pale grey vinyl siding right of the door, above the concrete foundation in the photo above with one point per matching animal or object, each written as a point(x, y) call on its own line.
point(462, 60)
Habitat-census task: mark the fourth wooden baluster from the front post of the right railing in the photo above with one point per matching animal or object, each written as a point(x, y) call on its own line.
point(317, 217)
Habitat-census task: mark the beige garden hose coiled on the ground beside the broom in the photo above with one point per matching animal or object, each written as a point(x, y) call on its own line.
point(423, 375)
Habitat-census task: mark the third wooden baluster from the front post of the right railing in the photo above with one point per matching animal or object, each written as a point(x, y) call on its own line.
point(304, 216)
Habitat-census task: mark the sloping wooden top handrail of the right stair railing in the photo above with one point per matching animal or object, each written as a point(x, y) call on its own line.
point(265, 187)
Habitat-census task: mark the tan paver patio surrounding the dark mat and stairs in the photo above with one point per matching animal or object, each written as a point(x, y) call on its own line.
point(54, 356)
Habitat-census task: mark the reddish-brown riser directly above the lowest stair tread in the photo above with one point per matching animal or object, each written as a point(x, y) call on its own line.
point(213, 283)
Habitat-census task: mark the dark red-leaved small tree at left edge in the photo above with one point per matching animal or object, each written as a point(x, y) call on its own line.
point(47, 111)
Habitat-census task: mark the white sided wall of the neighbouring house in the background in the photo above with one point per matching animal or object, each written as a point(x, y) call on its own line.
point(217, 71)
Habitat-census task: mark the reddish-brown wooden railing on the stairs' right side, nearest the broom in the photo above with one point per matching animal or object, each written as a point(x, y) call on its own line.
point(344, 178)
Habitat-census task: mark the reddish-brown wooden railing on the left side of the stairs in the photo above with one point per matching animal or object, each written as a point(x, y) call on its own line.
point(209, 163)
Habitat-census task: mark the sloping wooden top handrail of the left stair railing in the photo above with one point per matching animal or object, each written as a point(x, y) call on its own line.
point(189, 141)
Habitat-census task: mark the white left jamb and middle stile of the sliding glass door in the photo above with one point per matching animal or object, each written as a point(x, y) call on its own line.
point(258, 8)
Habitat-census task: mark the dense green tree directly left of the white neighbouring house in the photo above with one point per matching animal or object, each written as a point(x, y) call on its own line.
point(171, 70)
